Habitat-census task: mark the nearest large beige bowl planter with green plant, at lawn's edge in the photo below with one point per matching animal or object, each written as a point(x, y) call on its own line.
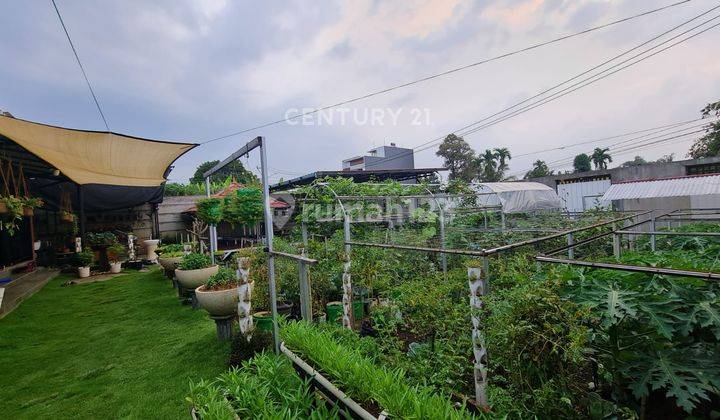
point(219, 294)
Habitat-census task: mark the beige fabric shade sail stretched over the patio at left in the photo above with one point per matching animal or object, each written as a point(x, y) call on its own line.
point(92, 157)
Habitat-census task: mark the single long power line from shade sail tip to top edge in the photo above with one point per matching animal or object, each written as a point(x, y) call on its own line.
point(445, 73)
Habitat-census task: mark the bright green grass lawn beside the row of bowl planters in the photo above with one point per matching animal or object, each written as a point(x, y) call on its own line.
point(124, 347)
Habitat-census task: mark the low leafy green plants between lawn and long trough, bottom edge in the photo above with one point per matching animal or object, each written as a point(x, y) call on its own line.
point(264, 387)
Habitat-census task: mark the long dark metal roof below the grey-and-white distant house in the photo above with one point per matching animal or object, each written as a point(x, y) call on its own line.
point(357, 176)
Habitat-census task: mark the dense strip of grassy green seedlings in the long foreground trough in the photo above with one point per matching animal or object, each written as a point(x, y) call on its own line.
point(365, 382)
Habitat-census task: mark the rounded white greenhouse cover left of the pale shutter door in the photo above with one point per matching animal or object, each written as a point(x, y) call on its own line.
point(519, 197)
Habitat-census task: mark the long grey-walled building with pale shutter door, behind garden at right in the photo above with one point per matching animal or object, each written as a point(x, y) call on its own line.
point(583, 190)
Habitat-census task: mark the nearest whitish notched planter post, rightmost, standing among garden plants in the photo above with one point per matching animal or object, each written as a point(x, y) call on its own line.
point(476, 281)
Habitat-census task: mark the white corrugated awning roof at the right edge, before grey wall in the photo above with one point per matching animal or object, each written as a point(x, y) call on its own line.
point(671, 187)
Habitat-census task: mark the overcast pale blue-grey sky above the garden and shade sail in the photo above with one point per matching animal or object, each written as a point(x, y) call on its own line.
point(196, 70)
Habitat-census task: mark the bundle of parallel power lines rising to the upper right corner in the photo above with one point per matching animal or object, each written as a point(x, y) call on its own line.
point(464, 130)
